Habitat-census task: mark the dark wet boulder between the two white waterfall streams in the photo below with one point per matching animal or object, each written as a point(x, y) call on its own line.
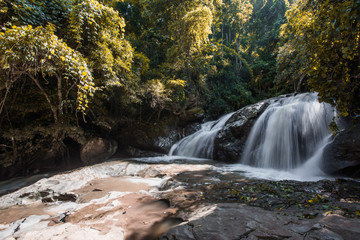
point(230, 141)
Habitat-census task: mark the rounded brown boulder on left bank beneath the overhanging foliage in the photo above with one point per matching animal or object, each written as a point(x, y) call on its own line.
point(97, 150)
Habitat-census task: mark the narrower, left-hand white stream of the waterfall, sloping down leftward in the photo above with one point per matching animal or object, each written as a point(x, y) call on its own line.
point(201, 143)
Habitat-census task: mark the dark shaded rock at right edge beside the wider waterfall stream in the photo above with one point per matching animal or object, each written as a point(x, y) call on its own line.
point(342, 155)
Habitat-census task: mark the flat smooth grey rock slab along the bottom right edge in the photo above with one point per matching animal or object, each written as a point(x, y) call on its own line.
point(227, 221)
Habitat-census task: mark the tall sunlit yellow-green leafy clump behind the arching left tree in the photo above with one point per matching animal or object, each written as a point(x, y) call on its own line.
point(98, 32)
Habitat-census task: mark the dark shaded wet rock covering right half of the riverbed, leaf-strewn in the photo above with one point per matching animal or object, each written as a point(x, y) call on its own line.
point(285, 209)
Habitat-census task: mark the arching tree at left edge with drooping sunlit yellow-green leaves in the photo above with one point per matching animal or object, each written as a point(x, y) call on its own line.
point(44, 84)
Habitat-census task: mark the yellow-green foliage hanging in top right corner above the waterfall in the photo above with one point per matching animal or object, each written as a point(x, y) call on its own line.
point(324, 37)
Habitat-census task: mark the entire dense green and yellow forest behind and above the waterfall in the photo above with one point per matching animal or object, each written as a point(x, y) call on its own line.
point(72, 69)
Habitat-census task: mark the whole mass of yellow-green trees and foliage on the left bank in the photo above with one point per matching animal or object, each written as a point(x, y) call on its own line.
point(54, 56)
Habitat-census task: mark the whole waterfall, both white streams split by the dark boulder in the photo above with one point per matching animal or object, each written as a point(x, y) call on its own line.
point(290, 133)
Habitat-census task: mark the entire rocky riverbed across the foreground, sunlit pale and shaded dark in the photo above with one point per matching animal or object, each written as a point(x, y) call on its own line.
point(193, 200)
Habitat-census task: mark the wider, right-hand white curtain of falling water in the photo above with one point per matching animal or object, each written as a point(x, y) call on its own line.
point(290, 132)
